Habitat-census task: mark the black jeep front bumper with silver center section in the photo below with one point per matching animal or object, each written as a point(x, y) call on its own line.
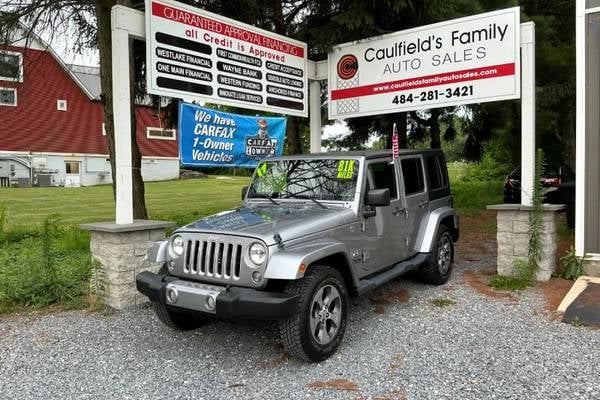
point(221, 301)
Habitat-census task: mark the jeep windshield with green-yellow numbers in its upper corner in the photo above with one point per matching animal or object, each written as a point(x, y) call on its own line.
point(318, 179)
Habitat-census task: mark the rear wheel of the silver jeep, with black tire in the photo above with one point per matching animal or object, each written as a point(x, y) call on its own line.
point(434, 272)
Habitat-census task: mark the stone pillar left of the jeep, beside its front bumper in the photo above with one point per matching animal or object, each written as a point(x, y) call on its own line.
point(121, 250)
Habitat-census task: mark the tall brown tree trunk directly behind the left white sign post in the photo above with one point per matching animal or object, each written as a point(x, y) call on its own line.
point(103, 15)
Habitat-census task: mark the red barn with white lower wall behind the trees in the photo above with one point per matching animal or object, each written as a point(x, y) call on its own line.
point(51, 123)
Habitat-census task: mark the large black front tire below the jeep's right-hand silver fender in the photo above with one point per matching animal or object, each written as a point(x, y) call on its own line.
point(296, 334)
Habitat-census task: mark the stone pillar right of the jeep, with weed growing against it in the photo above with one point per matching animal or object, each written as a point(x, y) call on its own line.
point(513, 237)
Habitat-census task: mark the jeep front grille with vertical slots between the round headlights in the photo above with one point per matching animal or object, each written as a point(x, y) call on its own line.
point(213, 259)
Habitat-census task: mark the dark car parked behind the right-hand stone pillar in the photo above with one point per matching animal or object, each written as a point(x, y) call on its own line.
point(558, 187)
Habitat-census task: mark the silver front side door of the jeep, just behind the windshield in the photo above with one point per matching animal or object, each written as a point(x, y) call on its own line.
point(388, 226)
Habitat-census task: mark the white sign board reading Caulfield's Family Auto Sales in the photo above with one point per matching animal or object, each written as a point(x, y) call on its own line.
point(466, 60)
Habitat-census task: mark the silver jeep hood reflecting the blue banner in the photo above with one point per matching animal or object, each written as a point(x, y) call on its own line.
point(290, 221)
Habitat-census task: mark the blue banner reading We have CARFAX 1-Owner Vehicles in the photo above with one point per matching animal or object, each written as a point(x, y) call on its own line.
point(209, 138)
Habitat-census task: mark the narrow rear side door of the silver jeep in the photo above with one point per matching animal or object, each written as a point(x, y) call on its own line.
point(416, 198)
